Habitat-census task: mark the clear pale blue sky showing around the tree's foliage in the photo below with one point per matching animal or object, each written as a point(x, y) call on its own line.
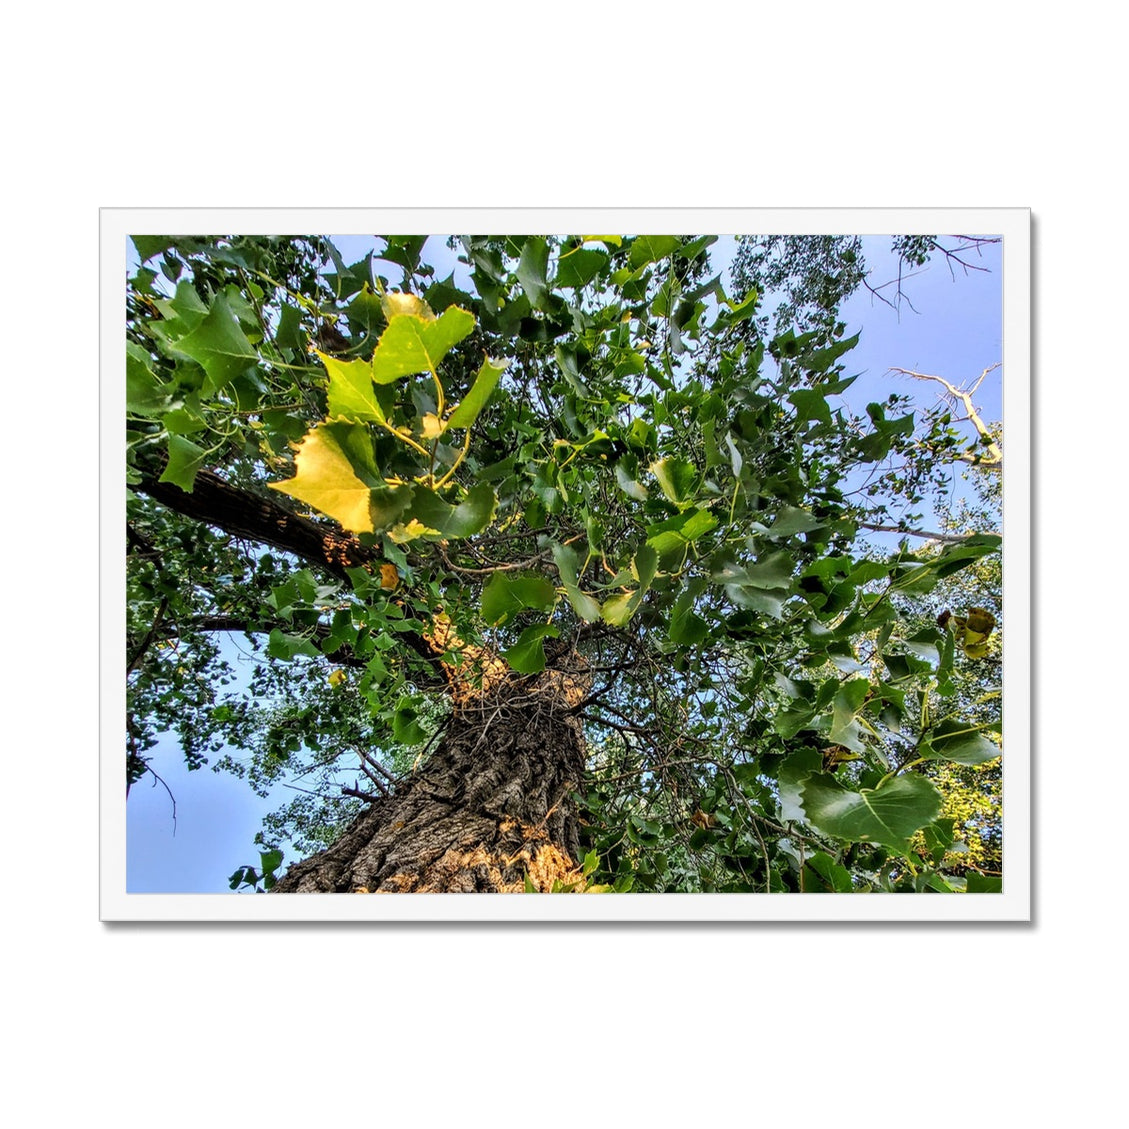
point(956, 334)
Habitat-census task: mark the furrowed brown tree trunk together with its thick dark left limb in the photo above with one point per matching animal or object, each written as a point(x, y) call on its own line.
point(491, 810)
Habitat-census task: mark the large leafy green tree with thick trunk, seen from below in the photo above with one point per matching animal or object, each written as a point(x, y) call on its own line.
point(561, 562)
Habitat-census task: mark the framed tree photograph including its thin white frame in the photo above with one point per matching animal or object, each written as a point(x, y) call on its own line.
point(635, 566)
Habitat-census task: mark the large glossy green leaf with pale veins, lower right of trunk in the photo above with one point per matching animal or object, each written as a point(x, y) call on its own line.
point(887, 816)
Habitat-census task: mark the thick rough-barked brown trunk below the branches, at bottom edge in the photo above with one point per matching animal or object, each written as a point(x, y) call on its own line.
point(489, 812)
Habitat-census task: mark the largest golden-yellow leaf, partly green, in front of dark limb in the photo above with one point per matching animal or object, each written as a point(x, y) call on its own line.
point(327, 476)
